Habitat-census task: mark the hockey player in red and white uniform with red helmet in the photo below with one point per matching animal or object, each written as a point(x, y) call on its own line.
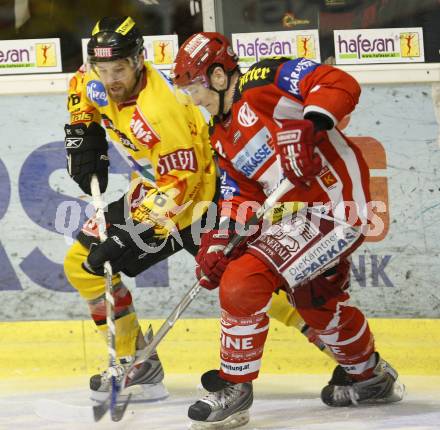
point(277, 120)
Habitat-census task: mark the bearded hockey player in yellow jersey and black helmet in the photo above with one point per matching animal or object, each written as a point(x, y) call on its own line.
point(166, 143)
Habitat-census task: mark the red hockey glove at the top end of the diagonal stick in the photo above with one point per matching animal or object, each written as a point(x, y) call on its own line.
point(296, 144)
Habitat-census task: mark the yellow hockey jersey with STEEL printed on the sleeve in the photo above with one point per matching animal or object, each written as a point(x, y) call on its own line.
point(163, 137)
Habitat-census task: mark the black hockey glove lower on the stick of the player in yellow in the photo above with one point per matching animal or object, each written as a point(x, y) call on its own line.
point(120, 248)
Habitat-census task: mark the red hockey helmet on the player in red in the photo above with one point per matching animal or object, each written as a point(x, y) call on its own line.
point(198, 53)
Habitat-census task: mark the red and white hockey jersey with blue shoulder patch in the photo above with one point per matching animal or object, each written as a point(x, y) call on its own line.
point(274, 90)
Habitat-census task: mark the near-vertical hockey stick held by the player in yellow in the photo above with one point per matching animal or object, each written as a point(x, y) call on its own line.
point(100, 410)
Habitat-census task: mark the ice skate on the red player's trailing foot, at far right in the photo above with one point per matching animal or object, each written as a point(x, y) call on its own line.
point(383, 387)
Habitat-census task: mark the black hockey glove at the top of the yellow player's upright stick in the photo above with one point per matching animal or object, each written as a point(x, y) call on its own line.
point(87, 154)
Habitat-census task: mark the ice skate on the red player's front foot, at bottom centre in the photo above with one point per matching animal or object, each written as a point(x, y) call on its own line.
point(226, 406)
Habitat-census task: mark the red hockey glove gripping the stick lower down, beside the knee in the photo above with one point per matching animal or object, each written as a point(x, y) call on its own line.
point(211, 262)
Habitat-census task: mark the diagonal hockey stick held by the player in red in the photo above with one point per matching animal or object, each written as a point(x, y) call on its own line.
point(283, 188)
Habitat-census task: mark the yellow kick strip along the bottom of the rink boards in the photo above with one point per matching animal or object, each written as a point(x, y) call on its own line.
point(74, 348)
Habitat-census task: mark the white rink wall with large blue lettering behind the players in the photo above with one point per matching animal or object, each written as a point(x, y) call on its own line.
point(394, 277)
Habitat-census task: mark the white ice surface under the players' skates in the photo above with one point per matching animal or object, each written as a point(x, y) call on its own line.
point(282, 402)
